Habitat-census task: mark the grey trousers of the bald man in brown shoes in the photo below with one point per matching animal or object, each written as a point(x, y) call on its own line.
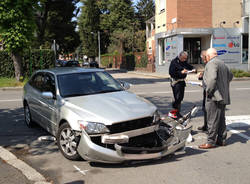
point(216, 122)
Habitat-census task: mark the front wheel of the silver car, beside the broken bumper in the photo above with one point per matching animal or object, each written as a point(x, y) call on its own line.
point(68, 142)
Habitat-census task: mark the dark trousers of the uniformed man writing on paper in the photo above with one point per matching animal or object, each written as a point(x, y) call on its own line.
point(178, 91)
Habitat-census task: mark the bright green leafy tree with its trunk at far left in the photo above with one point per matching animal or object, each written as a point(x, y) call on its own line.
point(17, 29)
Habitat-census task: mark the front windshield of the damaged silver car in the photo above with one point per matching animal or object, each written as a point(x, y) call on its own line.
point(87, 83)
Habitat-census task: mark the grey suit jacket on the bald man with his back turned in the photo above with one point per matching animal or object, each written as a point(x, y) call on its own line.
point(217, 77)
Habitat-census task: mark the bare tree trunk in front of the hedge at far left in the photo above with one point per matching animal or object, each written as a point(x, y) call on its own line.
point(17, 61)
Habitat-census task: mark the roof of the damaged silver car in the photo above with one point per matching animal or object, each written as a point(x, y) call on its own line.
point(69, 70)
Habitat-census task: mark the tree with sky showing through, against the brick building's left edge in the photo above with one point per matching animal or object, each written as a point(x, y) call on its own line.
point(145, 10)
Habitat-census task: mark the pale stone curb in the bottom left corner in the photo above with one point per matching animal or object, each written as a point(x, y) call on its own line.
point(29, 172)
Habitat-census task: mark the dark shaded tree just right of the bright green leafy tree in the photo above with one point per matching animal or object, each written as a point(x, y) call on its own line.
point(54, 22)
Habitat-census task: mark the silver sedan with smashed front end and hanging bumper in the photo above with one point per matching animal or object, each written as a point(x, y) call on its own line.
point(93, 117)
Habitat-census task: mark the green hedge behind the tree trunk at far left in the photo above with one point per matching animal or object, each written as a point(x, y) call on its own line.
point(32, 60)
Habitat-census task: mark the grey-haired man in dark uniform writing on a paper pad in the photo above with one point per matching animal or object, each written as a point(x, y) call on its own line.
point(178, 71)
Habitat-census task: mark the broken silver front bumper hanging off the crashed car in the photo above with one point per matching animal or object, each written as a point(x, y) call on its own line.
point(96, 153)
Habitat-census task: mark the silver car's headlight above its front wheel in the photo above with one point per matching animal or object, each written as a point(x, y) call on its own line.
point(93, 127)
